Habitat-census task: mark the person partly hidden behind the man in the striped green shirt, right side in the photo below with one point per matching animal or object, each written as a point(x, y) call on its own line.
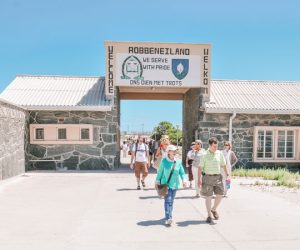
point(231, 160)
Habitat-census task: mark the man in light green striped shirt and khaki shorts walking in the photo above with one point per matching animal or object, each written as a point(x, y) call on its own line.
point(211, 182)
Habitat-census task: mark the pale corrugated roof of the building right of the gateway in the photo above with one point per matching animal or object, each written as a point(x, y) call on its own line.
point(256, 97)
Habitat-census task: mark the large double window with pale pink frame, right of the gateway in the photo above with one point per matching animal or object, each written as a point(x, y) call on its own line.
point(276, 144)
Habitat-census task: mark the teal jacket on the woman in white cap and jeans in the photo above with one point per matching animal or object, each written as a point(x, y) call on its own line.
point(165, 170)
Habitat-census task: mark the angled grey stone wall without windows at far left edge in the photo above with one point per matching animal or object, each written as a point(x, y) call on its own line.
point(12, 127)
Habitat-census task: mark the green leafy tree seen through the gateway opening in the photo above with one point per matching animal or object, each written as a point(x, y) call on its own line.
point(167, 128)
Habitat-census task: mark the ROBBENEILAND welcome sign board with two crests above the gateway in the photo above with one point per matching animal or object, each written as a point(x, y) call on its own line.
point(157, 65)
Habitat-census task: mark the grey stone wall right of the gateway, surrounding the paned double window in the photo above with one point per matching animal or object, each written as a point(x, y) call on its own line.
point(243, 131)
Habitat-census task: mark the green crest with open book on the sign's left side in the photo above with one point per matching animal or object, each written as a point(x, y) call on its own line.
point(132, 68)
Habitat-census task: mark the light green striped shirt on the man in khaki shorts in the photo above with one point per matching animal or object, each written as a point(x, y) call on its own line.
point(211, 162)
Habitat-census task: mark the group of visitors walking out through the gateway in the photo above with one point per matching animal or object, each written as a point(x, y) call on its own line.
point(210, 170)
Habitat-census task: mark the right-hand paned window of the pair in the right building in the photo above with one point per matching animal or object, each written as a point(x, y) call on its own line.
point(285, 144)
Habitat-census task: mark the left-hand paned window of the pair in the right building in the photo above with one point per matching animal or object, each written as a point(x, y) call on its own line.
point(265, 144)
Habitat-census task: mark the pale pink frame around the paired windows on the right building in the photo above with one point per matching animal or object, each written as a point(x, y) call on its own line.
point(275, 130)
